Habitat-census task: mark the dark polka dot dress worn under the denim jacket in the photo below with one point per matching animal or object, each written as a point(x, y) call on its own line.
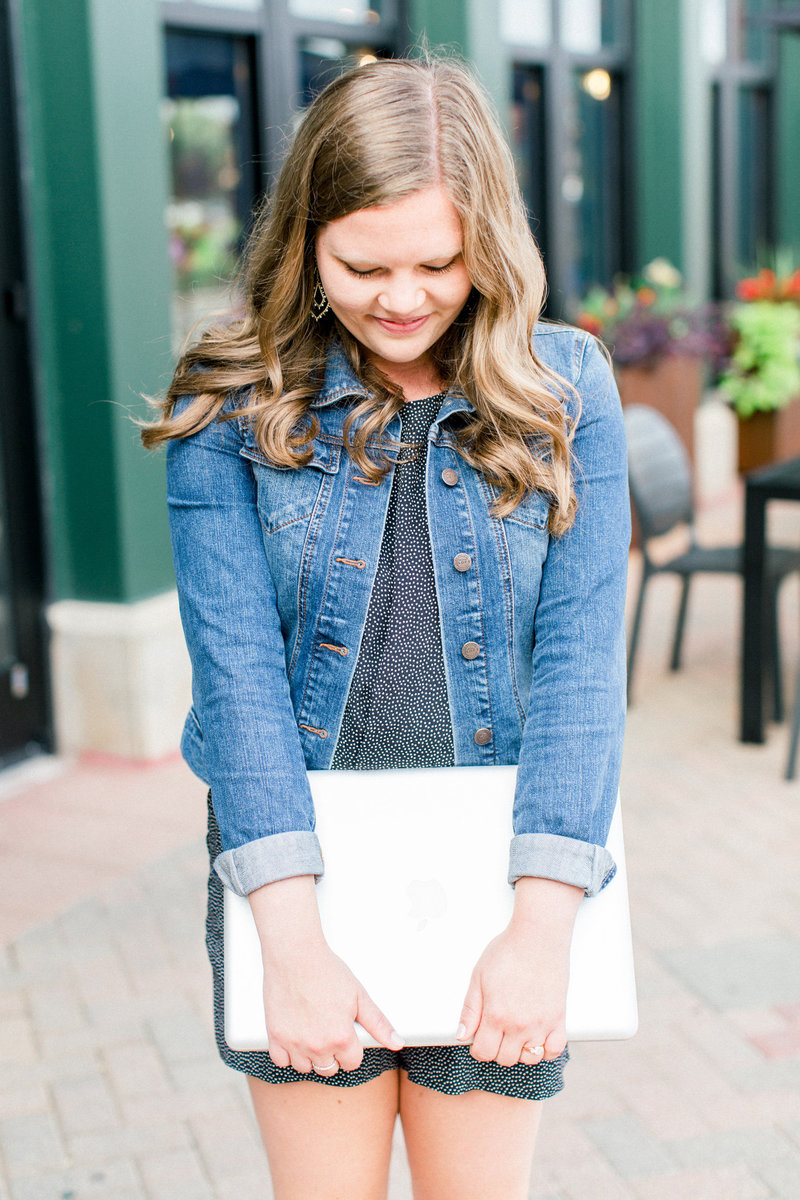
point(396, 716)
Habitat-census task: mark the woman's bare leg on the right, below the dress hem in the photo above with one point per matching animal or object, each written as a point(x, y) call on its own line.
point(477, 1147)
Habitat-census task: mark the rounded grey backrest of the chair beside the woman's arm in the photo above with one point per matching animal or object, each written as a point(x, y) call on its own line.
point(659, 472)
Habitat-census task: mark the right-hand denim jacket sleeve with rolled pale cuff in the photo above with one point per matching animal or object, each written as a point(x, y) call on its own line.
point(573, 742)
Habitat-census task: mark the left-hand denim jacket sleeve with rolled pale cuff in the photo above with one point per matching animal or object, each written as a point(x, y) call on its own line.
point(252, 758)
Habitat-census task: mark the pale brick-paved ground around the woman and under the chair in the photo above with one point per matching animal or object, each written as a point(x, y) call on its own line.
point(110, 1083)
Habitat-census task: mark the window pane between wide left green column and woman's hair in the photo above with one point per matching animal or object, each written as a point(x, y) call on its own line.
point(209, 121)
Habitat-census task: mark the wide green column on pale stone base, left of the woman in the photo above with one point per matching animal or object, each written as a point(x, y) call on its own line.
point(98, 187)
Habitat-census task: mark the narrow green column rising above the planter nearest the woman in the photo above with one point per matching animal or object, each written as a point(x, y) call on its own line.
point(658, 130)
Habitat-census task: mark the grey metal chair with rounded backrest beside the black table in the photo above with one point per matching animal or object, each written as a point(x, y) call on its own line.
point(661, 495)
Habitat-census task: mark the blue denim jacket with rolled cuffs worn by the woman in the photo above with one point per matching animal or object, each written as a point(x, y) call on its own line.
point(275, 568)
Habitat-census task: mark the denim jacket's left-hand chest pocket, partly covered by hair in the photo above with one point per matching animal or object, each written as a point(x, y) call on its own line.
point(291, 495)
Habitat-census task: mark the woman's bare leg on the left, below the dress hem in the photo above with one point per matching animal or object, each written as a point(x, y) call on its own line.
point(328, 1143)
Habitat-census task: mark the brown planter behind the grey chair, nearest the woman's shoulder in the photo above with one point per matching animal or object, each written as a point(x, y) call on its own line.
point(673, 386)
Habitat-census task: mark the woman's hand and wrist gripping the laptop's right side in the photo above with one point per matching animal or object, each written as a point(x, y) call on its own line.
point(518, 993)
